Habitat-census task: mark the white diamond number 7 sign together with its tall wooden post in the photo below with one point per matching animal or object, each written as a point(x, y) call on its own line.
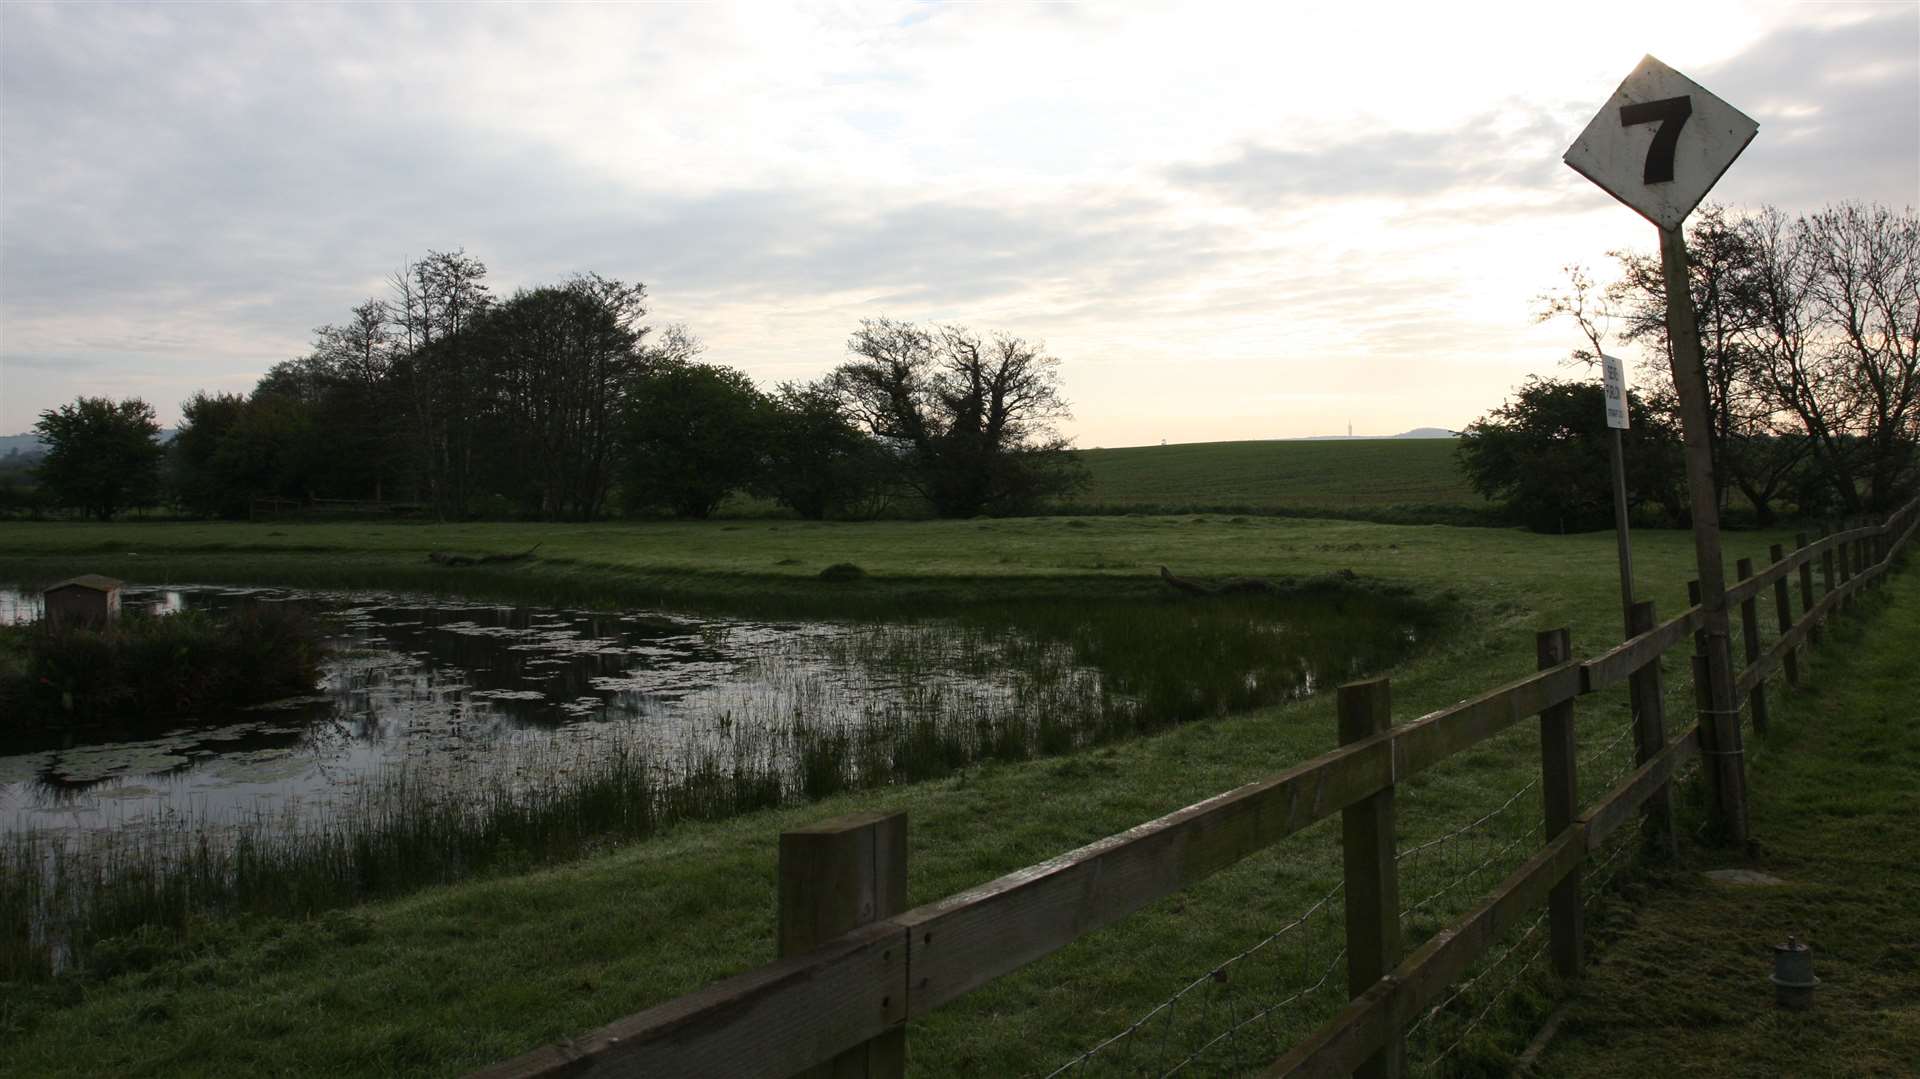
point(1660, 145)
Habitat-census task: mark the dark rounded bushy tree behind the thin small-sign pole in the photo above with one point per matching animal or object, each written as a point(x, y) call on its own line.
point(1545, 456)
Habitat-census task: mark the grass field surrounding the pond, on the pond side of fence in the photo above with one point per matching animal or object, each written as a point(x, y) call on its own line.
point(460, 976)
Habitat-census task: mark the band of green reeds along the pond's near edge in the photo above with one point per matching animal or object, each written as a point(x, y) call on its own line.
point(1007, 683)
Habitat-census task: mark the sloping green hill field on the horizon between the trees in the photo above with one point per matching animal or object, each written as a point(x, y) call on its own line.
point(1378, 479)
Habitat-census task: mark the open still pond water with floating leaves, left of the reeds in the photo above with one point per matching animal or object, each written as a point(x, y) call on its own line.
point(437, 686)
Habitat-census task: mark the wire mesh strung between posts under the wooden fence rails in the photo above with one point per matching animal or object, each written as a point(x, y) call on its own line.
point(1239, 1015)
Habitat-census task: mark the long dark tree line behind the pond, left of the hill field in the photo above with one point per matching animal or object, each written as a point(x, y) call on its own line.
point(564, 404)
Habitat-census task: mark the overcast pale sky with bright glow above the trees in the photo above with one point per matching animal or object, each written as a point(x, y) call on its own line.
point(1228, 222)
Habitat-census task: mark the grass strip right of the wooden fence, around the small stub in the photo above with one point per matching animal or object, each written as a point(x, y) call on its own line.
point(1681, 986)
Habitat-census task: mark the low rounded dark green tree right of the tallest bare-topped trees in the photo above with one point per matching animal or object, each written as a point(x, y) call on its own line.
point(696, 433)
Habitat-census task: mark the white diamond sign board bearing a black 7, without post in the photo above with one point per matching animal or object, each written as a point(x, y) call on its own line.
point(1662, 143)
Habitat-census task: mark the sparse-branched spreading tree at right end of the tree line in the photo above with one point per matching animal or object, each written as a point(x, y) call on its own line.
point(972, 420)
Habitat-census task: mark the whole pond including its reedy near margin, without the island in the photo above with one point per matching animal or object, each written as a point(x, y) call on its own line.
point(450, 736)
